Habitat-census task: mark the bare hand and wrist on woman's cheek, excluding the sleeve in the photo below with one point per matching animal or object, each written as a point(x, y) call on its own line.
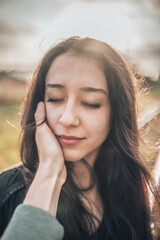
point(51, 173)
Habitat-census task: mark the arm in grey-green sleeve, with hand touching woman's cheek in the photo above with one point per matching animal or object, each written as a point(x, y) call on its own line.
point(35, 219)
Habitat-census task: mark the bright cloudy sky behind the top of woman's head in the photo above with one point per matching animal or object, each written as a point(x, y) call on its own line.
point(29, 28)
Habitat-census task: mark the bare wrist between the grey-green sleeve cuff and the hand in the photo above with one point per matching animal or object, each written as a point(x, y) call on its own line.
point(45, 190)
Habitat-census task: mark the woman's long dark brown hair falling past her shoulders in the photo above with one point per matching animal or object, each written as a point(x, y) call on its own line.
point(122, 178)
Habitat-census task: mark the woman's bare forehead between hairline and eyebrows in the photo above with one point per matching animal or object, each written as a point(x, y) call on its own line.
point(76, 70)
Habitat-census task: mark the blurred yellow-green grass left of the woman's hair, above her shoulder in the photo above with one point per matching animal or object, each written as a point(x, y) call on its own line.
point(9, 134)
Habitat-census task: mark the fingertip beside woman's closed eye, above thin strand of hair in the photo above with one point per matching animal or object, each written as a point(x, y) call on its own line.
point(40, 113)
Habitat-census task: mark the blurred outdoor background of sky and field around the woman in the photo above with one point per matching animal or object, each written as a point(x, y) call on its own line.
point(29, 27)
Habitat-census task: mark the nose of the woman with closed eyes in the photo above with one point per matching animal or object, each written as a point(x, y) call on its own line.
point(69, 117)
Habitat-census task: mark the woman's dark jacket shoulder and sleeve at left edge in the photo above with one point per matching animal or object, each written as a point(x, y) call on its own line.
point(12, 192)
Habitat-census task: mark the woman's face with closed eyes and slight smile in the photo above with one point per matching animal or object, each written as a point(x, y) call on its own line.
point(77, 106)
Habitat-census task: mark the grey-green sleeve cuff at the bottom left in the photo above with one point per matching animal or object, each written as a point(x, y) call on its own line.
point(29, 222)
